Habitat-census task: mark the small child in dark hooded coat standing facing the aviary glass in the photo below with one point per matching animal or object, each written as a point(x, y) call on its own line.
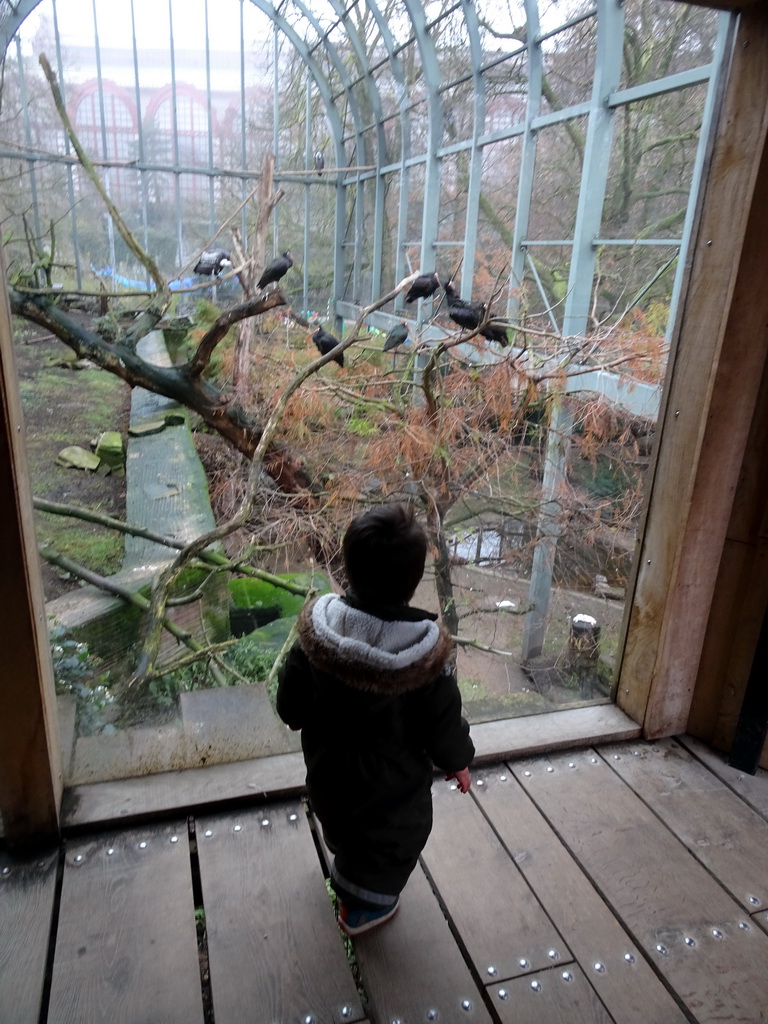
point(371, 686)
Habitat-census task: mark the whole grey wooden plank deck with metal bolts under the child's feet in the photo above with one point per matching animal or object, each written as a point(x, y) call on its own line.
point(627, 883)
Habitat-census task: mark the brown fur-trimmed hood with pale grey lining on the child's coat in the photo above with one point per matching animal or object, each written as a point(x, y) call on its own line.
point(372, 654)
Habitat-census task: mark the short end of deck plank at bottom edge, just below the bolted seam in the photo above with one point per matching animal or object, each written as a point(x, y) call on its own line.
point(561, 996)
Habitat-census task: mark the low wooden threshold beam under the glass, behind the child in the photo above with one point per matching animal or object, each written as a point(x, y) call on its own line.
point(125, 801)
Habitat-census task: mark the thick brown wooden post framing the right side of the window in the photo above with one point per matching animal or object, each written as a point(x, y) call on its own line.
point(720, 353)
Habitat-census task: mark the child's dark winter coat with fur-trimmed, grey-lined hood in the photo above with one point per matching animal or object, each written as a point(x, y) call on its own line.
point(378, 707)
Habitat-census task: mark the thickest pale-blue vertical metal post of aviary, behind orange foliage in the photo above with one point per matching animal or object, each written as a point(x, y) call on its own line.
point(589, 216)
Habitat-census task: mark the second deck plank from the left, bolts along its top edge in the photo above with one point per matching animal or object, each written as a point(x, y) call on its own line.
point(126, 948)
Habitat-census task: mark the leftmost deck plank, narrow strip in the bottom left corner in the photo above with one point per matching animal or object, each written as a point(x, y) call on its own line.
point(27, 894)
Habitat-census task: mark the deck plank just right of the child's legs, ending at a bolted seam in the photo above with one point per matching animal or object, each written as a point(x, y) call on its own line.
point(499, 920)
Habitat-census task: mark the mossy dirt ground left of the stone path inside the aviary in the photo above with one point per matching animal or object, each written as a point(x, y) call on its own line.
point(65, 406)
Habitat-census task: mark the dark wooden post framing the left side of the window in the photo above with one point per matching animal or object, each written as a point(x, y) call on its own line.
point(30, 760)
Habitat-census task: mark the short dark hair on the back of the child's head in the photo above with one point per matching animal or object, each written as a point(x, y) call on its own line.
point(385, 553)
